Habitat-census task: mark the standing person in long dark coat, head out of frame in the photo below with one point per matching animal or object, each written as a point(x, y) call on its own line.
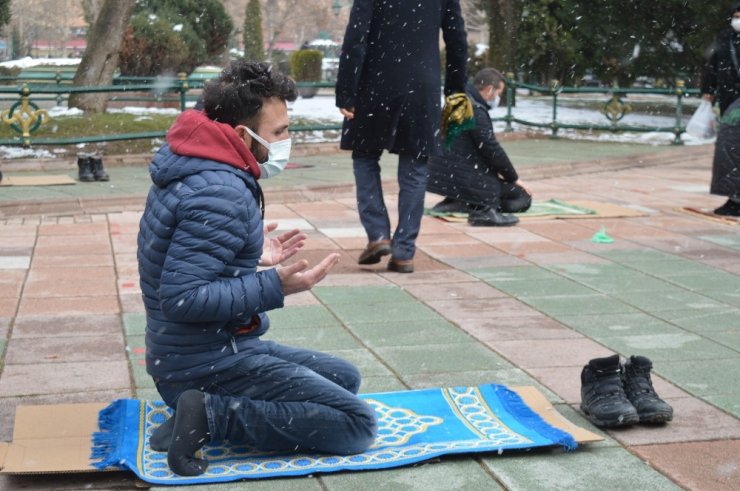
point(388, 89)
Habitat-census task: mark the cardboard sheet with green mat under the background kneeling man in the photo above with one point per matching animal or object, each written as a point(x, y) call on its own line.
point(557, 209)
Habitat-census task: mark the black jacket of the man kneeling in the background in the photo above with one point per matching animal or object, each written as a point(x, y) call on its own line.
point(474, 160)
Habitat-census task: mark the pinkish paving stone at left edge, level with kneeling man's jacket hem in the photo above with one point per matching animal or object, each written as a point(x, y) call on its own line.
point(62, 378)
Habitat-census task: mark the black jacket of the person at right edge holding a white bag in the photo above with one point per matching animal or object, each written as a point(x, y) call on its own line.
point(721, 76)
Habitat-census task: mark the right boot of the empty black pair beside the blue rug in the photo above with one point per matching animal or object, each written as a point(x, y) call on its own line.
point(639, 389)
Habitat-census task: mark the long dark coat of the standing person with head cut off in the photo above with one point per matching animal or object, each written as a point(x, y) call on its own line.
point(389, 72)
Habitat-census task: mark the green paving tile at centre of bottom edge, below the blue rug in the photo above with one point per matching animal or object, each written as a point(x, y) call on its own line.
point(451, 473)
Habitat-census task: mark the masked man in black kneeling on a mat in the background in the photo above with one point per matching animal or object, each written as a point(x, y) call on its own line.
point(475, 175)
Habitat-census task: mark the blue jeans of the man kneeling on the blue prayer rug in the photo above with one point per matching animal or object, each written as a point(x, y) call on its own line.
point(280, 398)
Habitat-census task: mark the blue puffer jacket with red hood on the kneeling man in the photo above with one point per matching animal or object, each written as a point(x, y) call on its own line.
point(200, 240)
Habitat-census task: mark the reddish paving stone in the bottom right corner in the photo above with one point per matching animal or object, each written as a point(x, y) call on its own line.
point(698, 465)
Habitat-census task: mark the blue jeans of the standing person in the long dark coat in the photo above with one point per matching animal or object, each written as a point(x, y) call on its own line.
point(412, 182)
